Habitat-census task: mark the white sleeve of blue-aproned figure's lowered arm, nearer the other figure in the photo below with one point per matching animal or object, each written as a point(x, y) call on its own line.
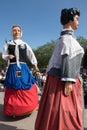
point(31, 55)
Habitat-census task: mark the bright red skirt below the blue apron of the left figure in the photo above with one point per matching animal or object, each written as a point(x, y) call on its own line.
point(20, 102)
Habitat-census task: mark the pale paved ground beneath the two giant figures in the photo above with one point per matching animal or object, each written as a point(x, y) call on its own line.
point(23, 123)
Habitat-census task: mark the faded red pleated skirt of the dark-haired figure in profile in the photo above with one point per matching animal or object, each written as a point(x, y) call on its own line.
point(57, 111)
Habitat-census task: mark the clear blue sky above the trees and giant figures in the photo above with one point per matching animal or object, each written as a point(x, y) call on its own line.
point(39, 19)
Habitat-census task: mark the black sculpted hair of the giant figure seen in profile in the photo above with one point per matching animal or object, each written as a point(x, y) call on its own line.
point(68, 14)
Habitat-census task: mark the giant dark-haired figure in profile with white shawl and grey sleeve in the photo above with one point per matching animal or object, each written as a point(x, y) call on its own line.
point(61, 102)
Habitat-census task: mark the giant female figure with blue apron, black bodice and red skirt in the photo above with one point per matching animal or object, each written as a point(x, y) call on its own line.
point(21, 96)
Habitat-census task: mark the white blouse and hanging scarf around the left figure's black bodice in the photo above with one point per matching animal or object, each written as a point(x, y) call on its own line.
point(29, 52)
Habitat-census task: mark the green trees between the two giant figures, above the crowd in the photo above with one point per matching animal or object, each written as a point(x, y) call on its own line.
point(44, 53)
